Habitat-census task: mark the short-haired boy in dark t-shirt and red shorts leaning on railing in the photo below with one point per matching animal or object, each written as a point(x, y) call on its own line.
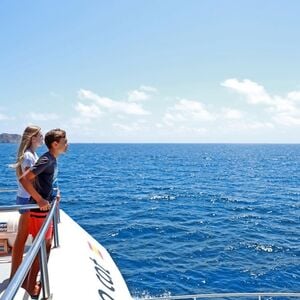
point(39, 181)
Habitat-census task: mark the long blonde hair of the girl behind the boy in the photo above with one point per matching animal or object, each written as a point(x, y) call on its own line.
point(26, 140)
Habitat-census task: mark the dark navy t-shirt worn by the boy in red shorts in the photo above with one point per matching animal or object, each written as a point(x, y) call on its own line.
point(45, 170)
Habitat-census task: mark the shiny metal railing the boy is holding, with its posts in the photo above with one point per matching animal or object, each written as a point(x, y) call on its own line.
point(38, 247)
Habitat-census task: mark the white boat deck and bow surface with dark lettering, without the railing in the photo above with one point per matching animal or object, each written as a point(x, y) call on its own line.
point(80, 268)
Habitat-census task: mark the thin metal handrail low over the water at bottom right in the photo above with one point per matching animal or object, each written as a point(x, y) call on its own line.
point(257, 295)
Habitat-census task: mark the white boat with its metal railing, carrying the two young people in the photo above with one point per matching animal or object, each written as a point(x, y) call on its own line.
point(79, 267)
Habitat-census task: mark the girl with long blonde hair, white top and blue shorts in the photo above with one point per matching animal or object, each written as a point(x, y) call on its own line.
point(32, 138)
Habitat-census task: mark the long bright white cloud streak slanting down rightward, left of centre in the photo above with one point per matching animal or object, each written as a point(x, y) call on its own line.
point(113, 106)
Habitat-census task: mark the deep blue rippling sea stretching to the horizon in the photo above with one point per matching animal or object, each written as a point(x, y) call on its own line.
point(186, 218)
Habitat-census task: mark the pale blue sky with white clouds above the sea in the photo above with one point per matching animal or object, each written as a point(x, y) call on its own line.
point(152, 70)
